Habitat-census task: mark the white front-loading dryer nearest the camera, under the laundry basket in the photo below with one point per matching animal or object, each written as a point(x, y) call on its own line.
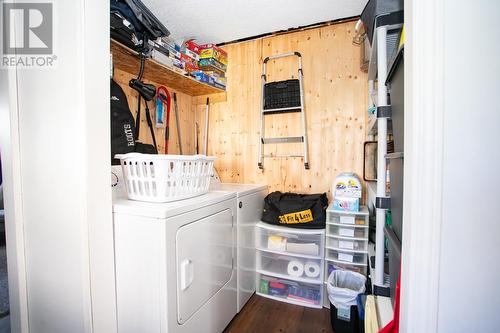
point(176, 264)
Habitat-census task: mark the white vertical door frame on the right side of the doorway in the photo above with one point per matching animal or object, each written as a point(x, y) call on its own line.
point(424, 88)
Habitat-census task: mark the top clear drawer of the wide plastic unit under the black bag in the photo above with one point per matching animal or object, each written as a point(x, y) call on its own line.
point(284, 240)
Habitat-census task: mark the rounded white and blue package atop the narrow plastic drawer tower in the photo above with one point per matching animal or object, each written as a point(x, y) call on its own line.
point(347, 192)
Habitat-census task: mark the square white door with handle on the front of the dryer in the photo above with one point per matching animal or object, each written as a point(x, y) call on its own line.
point(204, 251)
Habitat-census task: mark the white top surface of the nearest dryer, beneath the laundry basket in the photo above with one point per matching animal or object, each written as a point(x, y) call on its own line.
point(165, 210)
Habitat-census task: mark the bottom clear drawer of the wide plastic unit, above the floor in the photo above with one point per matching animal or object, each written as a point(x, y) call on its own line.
point(289, 291)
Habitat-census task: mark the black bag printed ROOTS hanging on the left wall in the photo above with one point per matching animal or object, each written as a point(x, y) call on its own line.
point(122, 124)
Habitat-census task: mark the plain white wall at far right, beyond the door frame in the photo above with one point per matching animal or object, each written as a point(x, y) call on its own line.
point(469, 284)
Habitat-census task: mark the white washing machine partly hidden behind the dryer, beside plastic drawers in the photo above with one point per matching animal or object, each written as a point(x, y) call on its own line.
point(250, 205)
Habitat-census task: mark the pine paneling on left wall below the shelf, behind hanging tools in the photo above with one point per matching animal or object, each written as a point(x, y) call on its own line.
point(186, 116)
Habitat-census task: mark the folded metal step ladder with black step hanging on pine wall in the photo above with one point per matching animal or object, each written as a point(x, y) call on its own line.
point(284, 103)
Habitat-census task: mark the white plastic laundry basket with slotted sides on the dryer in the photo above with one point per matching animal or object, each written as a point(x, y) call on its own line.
point(164, 178)
